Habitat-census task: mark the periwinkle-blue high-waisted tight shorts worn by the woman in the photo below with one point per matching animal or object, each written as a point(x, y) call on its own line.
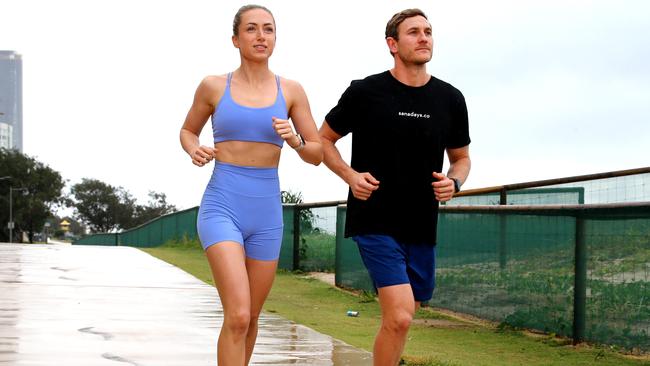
point(242, 204)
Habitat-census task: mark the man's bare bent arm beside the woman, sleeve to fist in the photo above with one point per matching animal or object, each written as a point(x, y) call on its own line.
point(361, 184)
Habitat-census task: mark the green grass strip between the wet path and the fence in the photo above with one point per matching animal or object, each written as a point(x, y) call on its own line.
point(434, 340)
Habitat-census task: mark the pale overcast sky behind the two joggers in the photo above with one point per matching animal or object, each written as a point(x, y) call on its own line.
point(553, 88)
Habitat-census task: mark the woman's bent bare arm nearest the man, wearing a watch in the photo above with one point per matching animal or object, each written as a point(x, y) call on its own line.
point(300, 114)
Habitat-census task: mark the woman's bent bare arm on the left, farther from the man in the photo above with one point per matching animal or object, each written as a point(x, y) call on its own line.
point(202, 107)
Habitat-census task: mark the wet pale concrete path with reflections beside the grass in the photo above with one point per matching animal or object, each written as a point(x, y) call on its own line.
point(91, 305)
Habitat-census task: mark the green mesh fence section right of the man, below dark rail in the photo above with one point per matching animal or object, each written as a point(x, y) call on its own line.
point(582, 272)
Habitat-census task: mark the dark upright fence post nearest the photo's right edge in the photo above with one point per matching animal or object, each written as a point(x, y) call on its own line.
point(580, 285)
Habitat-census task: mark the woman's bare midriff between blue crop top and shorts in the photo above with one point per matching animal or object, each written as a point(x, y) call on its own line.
point(245, 153)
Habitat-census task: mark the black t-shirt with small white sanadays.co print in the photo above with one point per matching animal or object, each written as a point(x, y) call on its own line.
point(399, 135)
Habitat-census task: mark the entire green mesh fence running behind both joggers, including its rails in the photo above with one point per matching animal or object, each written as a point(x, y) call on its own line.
point(543, 261)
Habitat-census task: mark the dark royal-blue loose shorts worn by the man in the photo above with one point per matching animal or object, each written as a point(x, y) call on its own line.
point(392, 263)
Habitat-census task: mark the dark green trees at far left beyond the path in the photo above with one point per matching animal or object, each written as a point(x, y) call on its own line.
point(37, 192)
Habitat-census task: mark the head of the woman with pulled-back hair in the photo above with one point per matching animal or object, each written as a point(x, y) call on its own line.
point(256, 38)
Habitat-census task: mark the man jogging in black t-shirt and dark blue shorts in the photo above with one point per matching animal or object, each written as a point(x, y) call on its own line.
point(402, 121)
